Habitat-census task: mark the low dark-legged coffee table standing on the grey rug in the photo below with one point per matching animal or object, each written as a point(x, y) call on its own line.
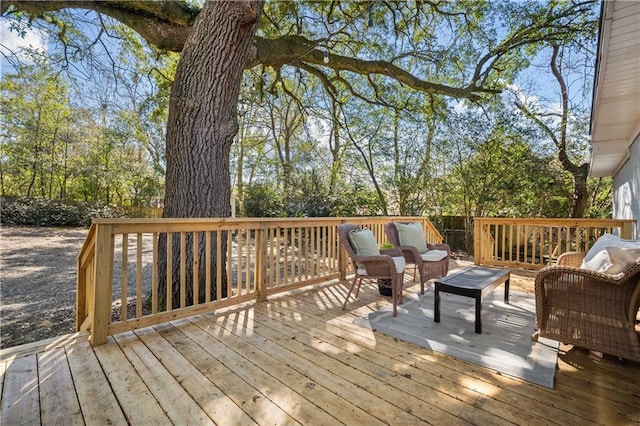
point(475, 282)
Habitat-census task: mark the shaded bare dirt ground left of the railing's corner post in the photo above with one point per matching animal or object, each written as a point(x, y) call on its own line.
point(37, 283)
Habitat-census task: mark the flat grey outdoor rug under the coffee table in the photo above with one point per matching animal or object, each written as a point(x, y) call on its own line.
point(505, 344)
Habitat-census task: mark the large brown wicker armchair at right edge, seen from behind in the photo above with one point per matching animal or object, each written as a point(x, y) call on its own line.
point(589, 309)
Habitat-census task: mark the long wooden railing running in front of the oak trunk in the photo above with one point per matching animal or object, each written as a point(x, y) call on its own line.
point(134, 273)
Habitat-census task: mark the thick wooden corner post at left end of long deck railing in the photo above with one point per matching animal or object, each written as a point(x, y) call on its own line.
point(103, 281)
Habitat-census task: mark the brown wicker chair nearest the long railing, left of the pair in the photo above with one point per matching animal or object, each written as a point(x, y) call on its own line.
point(373, 267)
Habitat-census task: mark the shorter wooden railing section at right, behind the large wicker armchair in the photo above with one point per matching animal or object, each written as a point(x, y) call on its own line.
point(535, 243)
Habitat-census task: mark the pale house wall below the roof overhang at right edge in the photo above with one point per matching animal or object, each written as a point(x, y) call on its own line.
point(626, 189)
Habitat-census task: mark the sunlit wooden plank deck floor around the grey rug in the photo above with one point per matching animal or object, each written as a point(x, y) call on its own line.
point(298, 359)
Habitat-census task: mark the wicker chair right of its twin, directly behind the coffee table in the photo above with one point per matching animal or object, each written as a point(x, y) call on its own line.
point(427, 269)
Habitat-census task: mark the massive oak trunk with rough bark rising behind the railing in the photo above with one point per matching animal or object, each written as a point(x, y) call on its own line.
point(202, 123)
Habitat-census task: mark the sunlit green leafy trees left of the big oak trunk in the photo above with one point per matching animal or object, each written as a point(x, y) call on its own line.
point(53, 149)
